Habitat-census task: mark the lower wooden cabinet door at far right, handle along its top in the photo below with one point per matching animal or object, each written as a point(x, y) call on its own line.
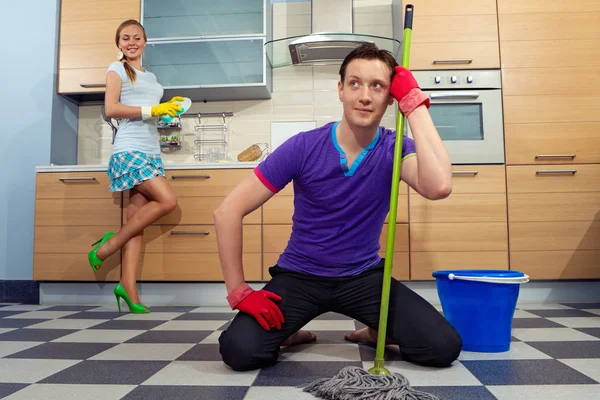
point(554, 220)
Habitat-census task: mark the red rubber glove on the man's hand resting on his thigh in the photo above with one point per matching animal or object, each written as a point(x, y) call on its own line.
point(258, 303)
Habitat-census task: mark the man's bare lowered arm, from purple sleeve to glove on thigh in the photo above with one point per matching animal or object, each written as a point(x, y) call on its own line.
point(250, 194)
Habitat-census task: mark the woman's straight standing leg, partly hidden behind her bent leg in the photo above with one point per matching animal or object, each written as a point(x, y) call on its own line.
point(133, 248)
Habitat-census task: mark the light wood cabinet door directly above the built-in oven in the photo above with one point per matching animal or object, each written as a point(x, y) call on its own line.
point(453, 34)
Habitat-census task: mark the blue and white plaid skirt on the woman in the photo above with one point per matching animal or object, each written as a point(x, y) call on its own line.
point(130, 168)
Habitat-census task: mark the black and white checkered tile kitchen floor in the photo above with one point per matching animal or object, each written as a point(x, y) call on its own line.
point(47, 352)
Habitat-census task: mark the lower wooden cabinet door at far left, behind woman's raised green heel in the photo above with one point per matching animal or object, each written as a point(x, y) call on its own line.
point(72, 211)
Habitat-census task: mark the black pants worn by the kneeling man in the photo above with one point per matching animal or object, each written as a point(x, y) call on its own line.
point(424, 335)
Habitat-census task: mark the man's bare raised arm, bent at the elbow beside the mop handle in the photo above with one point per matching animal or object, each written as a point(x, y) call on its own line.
point(430, 172)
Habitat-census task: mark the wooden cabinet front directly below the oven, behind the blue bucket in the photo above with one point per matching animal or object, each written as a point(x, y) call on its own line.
point(467, 230)
